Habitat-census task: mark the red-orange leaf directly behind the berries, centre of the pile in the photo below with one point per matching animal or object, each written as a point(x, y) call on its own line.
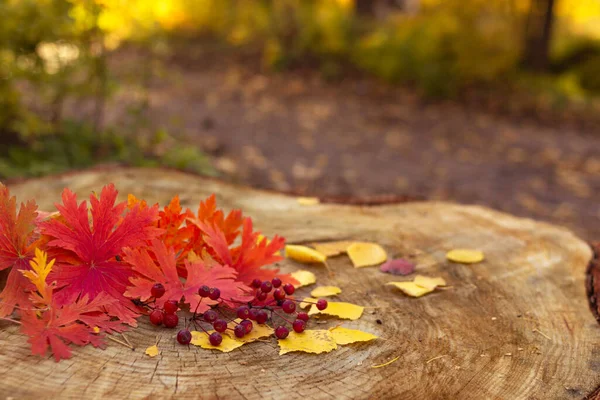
point(164, 271)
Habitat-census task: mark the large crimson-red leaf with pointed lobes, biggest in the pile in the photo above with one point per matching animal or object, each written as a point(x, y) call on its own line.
point(86, 250)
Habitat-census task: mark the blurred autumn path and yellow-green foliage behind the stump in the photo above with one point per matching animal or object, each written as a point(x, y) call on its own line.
point(492, 102)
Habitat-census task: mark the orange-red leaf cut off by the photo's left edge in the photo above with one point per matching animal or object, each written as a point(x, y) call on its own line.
point(17, 246)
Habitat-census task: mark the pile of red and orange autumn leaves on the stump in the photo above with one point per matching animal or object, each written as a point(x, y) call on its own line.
point(105, 255)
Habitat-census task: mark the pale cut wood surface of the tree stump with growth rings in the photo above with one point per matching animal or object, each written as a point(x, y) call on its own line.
point(516, 326)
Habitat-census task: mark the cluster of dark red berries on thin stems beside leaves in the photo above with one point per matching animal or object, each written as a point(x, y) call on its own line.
point(270, 298)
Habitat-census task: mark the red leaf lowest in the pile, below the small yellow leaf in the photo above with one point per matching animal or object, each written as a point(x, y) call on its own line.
point(80, 322)
